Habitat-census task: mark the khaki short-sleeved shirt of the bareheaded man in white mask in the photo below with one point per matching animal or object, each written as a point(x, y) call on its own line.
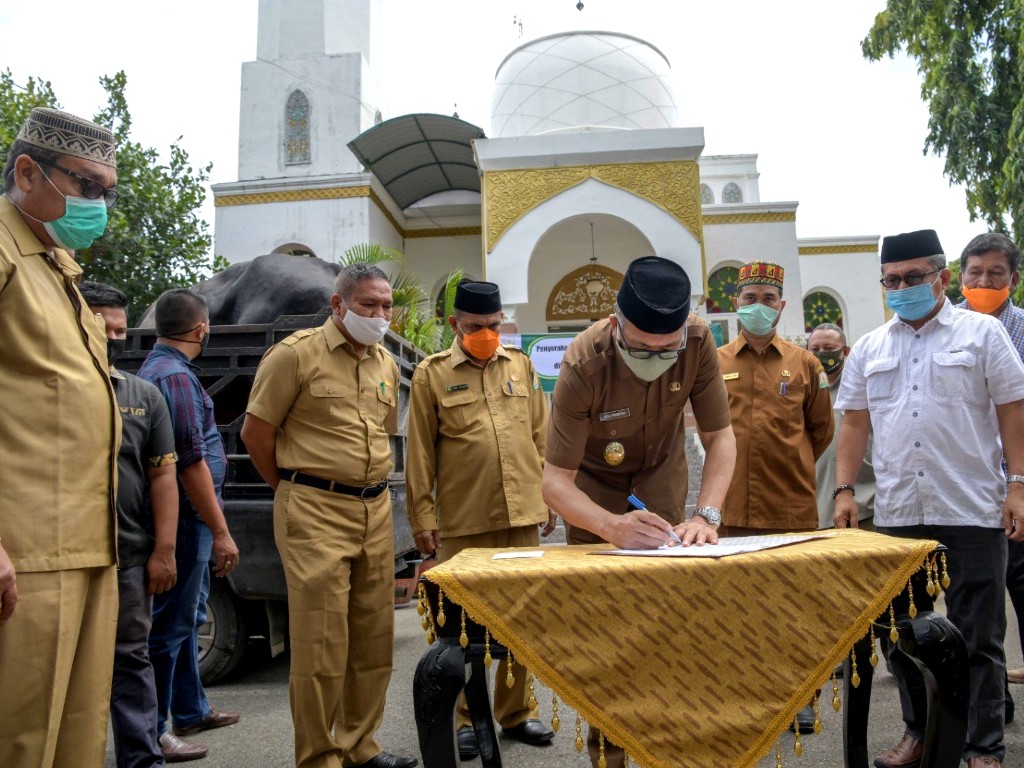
point(334, 411)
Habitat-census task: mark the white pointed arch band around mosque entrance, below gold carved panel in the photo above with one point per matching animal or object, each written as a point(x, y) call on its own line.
point(510, 264)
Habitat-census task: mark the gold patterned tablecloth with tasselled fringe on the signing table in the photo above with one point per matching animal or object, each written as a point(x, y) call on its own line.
point(686, 662)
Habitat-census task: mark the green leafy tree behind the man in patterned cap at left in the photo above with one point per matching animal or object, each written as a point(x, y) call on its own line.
point(155, 238)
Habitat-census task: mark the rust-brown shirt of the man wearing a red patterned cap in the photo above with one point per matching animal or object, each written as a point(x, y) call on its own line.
point(783, 419)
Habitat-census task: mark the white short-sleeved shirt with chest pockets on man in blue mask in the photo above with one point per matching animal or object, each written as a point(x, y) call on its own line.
point(931, 396)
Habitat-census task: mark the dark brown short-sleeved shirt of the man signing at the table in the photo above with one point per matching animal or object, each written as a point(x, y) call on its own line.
point(601, 407)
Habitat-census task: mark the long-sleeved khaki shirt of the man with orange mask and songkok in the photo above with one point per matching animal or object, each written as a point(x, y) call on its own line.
point(480, 435)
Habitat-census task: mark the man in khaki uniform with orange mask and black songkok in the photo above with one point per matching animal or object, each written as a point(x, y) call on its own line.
point(478, 424)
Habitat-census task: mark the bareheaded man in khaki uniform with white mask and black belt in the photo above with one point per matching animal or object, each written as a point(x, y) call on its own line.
point(323, 405)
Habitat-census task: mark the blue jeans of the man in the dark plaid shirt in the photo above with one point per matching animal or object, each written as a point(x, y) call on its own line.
point(178, 615)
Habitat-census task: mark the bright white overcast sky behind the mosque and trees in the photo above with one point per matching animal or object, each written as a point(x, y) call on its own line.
point(786, 81)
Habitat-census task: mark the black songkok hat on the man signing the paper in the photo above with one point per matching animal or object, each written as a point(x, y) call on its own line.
point(656, 295)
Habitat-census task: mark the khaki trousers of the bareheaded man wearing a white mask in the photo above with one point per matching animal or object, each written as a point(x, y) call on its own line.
point(339, 565)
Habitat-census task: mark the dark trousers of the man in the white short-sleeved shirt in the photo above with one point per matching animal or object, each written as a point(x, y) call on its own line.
point(975, 604)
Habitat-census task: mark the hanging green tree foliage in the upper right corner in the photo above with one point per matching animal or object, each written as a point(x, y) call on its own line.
point(969, 57)
